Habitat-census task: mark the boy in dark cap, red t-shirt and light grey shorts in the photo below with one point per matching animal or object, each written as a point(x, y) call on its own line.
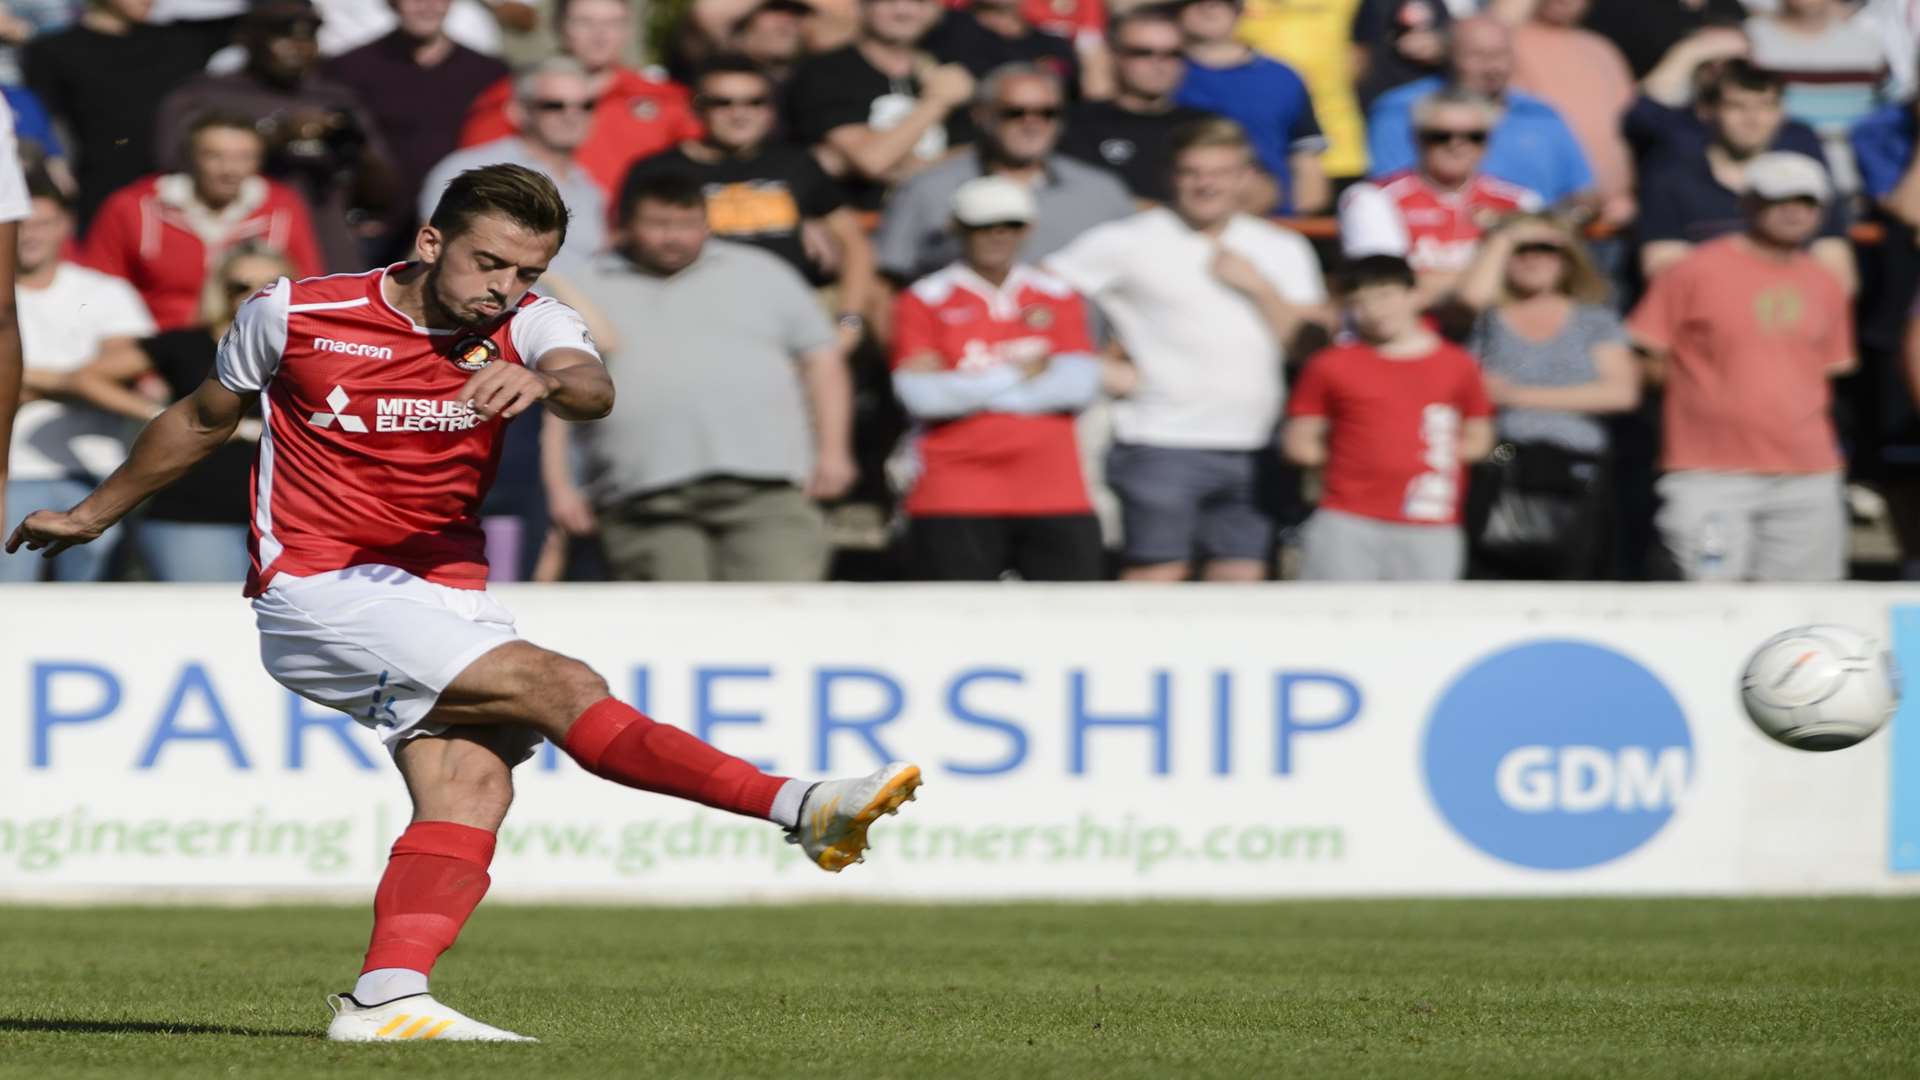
point(1393, 418)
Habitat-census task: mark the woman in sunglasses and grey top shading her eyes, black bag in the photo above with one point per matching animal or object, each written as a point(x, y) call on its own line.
point(1556, 362)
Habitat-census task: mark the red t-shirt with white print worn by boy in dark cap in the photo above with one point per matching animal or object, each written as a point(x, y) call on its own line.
point(1393, 443)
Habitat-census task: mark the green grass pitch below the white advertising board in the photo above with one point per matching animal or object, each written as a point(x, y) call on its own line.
point(1314, 991)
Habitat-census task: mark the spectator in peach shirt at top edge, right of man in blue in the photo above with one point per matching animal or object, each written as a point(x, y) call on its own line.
point(1587, 80)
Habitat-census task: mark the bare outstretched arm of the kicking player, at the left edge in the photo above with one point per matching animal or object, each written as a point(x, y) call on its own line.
point(178, 441)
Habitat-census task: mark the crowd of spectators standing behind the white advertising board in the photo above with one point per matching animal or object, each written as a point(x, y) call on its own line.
point(1038, 289)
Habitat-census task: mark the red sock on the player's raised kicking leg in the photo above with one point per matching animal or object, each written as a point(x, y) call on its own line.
point(623, 745)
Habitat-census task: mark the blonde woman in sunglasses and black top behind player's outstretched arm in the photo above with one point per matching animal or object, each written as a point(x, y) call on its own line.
point(197, 528)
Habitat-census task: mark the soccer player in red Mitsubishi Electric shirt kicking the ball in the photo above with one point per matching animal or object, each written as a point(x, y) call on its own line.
point(385, 397)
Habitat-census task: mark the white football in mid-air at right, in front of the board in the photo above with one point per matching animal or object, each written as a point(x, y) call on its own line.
point(1821, 687)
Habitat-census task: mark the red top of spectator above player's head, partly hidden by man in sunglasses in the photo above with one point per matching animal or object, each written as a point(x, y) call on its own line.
point(636, 116)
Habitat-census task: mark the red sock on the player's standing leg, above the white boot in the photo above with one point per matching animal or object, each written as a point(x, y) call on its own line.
point(433, 883)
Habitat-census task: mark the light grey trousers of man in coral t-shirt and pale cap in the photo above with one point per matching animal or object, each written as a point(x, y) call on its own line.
point(1754, 526)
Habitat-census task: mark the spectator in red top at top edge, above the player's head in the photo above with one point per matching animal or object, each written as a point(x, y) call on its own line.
point(636, 112)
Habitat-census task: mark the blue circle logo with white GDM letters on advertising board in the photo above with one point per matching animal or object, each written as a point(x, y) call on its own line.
point(1558, 756)
